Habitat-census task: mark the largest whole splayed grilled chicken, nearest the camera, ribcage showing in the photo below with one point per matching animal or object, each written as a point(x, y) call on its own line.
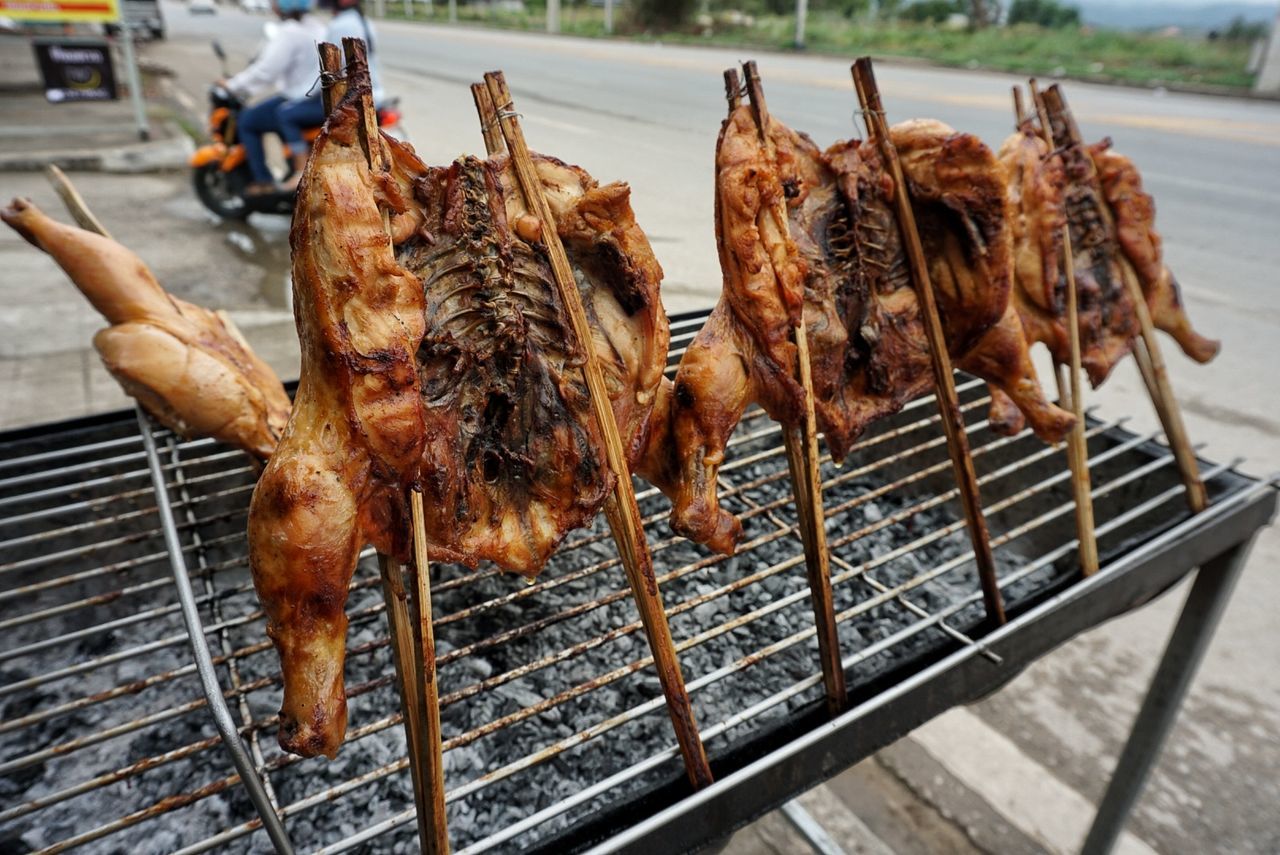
point(440, 359)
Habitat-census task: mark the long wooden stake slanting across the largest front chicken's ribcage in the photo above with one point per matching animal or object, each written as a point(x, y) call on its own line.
point(620, 509)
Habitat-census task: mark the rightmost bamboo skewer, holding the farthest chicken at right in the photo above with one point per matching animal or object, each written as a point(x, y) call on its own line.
point(1148, 351)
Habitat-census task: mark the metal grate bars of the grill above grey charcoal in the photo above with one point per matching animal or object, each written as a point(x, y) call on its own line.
point(93, 475)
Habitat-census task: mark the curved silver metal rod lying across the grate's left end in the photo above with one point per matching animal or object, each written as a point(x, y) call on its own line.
point(200, 651)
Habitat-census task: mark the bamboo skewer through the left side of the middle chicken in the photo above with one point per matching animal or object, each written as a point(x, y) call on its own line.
point(802, 443)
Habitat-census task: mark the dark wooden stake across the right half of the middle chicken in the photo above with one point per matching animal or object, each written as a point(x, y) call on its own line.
point(949, 404)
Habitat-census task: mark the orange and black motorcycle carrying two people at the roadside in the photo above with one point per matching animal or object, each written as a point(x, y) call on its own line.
point(221, 170)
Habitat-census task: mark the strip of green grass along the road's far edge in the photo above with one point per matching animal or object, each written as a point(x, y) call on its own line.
point(1087, 54)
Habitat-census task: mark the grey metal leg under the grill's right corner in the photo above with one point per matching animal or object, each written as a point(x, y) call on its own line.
point(1187, 646)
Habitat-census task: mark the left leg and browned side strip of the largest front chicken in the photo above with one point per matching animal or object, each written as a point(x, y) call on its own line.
point(355, 440)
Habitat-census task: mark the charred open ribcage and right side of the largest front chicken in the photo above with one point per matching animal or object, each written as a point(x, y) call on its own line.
point(515, 459)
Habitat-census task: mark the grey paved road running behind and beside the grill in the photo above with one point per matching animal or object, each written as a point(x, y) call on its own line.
point(650, 115)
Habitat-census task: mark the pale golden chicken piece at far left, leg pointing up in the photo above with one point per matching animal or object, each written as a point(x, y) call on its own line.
point(184, 364)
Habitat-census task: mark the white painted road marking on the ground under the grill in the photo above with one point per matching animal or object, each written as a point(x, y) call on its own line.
point(1023, 792)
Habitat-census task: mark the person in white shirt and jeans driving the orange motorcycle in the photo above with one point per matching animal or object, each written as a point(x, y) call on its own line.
point(289, 67)
